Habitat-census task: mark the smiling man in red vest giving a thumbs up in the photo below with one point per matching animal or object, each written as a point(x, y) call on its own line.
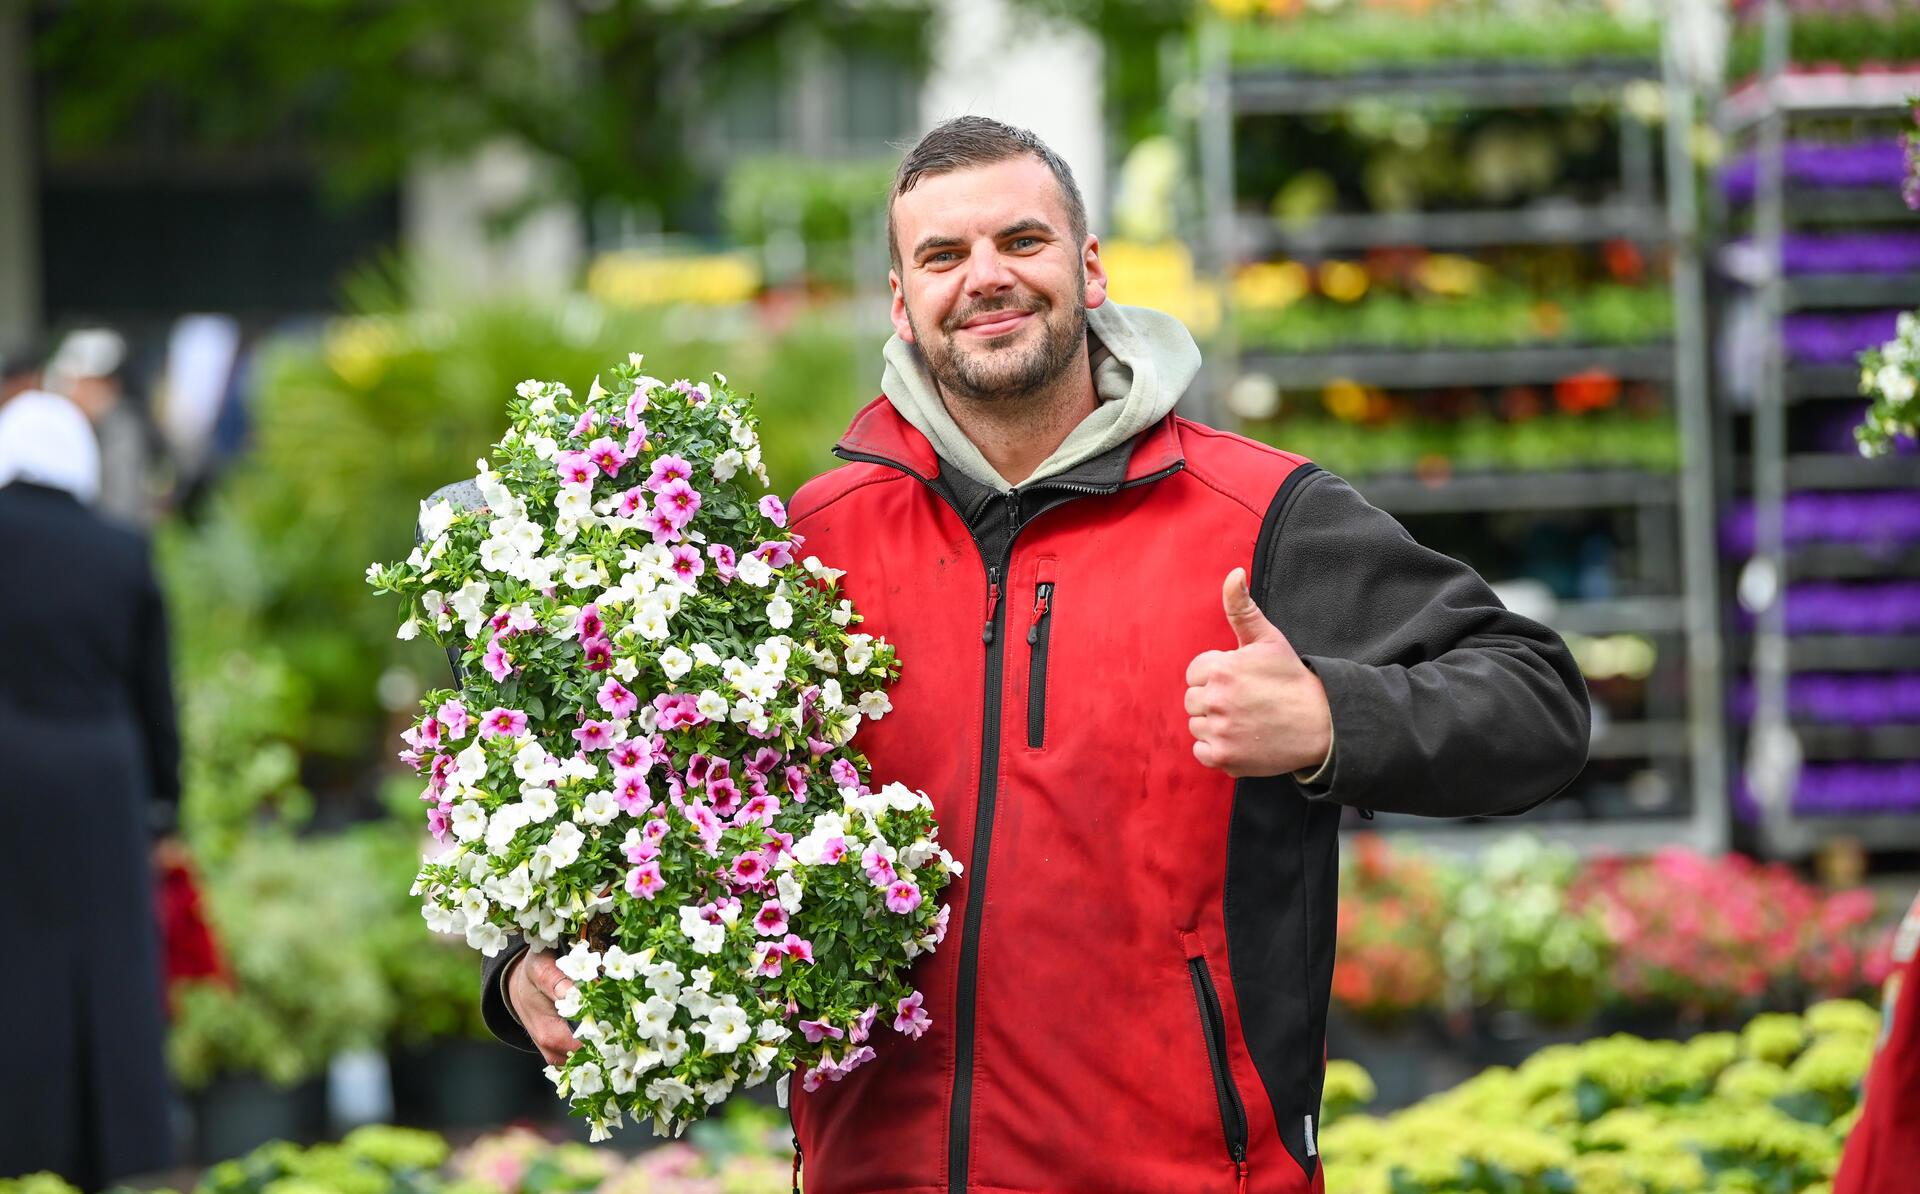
point(1145, 665)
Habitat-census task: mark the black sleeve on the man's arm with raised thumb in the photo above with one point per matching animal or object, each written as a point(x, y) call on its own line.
point(1445, 704)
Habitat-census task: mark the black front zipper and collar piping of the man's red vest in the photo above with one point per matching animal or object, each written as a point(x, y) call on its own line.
point(961, 1107)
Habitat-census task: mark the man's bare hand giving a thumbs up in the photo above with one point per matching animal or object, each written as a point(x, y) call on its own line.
point(1257, 709)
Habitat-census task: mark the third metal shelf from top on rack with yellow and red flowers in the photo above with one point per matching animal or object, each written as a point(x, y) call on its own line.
point(1460, 368)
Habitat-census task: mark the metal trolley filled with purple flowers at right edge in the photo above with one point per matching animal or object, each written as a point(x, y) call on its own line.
point(1823, 548)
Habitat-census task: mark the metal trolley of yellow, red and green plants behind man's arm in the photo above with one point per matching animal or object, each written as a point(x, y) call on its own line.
point(1508, 354)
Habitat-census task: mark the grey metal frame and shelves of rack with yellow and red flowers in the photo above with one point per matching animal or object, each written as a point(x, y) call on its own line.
point(1654, 203)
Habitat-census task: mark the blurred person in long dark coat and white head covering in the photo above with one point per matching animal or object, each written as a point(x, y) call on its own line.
point(89, 752)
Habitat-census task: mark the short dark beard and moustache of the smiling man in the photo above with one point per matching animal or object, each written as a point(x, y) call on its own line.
point(997, 370)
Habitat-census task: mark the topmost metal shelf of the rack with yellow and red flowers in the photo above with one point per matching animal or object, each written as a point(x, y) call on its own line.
point(1278, 91)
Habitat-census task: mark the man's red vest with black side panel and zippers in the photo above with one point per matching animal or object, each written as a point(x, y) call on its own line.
point(1134, 988)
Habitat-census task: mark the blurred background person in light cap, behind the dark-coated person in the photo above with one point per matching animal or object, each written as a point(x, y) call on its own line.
point(87, 368)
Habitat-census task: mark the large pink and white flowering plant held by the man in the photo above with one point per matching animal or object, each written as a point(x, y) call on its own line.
point(648, 761)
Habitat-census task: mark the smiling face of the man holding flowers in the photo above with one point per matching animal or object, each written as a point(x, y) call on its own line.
point(992, 287)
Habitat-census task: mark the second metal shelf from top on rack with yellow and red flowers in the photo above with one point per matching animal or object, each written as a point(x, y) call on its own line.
point(1543, 224)
